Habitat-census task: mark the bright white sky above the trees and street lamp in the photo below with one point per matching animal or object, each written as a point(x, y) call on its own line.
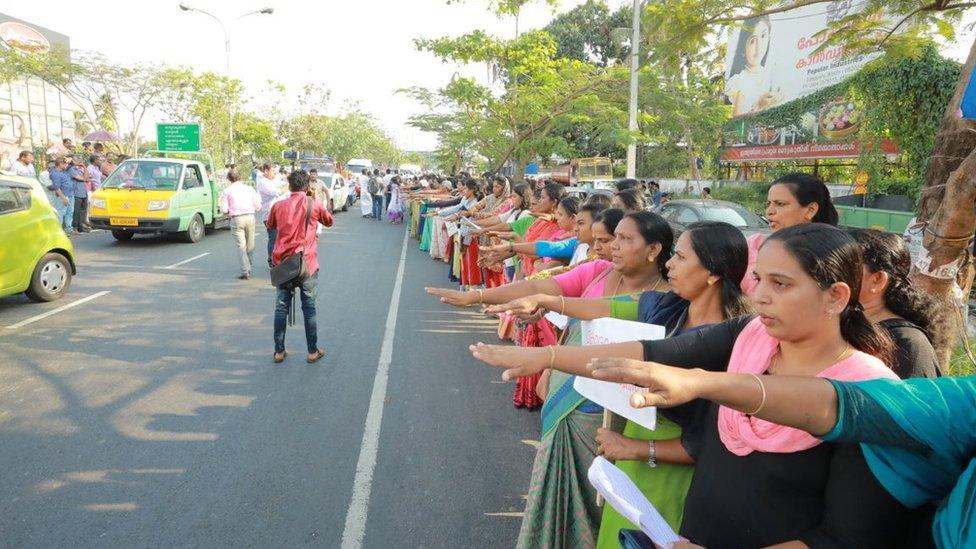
point(362, 50)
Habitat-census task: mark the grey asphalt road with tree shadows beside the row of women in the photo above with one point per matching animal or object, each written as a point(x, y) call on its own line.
point(151, 414)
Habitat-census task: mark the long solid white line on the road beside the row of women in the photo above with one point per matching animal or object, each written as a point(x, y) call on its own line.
point(355, 528)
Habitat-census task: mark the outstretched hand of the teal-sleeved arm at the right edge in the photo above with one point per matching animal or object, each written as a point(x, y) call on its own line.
point(665, 386)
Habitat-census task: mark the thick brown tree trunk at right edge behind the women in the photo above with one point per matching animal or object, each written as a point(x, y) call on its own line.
point(948, 207)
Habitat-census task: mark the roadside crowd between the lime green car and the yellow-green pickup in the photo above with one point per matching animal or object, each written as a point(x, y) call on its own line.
point(68, 178)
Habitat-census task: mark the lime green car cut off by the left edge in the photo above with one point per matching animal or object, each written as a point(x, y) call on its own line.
point(36, 257)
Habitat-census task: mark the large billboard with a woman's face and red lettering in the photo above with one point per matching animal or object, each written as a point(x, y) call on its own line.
point(776, 59)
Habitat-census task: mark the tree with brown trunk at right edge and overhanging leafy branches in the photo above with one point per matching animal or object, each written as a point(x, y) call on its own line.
point(948, 205)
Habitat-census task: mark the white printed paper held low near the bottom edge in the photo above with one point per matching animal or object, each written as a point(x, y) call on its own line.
point(627, 499)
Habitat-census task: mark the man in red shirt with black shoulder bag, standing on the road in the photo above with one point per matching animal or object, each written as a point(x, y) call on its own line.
point(294, 235)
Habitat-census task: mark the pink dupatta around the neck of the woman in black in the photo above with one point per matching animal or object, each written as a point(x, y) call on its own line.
point(752, 353)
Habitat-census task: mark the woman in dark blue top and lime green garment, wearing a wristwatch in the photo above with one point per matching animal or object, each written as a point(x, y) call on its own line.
point(708, 263)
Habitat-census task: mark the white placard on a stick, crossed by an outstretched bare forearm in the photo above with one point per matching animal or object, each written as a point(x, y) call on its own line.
point(616, 396)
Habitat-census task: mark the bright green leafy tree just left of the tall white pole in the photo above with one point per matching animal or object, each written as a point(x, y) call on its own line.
point(543, 92)
